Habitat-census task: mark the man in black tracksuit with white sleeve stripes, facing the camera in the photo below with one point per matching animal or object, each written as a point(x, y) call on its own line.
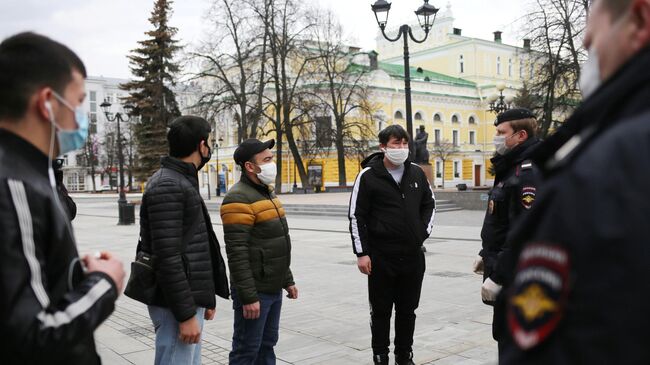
point(391, 214)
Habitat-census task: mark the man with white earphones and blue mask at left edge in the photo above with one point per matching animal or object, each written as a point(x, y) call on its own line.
point(51, 301)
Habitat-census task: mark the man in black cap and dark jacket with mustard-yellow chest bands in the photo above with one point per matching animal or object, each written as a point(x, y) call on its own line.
point(259, 255)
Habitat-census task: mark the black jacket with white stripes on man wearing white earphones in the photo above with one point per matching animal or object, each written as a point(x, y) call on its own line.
point(49, 308)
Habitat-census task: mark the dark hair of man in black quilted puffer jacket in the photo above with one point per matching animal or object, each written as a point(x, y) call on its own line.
point(185, 134)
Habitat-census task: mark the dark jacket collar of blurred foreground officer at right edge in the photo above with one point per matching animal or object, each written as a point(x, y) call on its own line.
point(625, 94)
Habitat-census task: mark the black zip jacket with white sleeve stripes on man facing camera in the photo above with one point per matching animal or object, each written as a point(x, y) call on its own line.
point(386, 217)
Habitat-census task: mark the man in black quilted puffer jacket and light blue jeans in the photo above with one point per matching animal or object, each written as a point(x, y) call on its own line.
point(176, 229)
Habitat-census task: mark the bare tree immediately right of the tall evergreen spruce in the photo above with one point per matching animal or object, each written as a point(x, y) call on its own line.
point(233, 60)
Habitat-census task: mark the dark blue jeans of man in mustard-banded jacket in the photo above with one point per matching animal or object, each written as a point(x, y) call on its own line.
point(253, 339)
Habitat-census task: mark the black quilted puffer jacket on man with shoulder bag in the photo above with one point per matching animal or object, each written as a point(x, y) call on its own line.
point(187, 279)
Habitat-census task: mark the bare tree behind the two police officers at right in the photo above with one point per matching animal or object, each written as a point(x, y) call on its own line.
point(556, 29)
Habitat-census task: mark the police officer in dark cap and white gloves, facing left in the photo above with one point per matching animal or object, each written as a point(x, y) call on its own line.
point(514, 191)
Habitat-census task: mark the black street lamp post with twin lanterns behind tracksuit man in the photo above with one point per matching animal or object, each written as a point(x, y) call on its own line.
point(426, 16)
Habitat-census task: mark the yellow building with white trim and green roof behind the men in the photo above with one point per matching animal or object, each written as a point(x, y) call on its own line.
point(452, 79)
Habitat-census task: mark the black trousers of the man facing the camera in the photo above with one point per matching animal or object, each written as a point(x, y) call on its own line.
point(394, 280)
